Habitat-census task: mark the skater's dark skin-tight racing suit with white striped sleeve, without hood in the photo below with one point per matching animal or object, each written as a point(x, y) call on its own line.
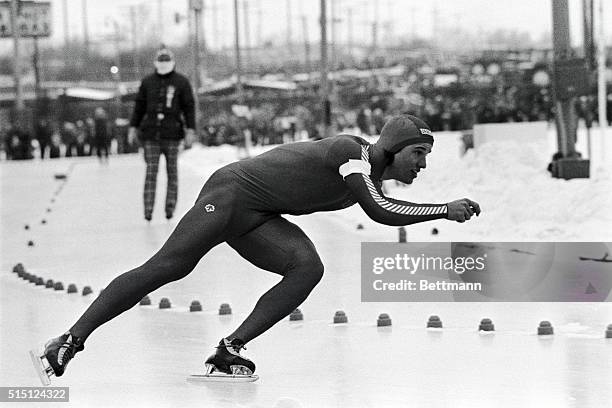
point(242, 203)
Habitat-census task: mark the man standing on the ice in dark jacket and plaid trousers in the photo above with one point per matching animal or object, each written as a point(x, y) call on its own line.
point(164, 105)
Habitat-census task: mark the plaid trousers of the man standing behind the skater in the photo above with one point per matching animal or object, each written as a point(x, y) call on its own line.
point(153, 149)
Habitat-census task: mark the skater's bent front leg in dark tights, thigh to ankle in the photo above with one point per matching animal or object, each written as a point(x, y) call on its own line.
point(281, 247)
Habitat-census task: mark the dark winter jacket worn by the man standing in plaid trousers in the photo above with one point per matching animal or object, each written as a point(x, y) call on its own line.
point(164, 105)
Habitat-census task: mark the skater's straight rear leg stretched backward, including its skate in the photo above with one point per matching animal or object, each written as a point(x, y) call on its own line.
point(218, 214)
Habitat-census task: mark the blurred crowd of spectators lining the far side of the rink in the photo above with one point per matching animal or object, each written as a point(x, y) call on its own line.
point(360, 104)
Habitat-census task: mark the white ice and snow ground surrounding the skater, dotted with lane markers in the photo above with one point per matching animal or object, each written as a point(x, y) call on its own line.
point(95, 231)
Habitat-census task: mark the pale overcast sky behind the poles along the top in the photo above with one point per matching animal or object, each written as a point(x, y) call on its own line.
point(267, 19)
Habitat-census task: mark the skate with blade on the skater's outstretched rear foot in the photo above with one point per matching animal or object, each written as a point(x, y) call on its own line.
point(56, 355)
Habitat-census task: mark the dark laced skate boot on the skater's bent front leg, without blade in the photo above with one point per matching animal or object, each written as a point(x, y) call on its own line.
point(228, 360)
